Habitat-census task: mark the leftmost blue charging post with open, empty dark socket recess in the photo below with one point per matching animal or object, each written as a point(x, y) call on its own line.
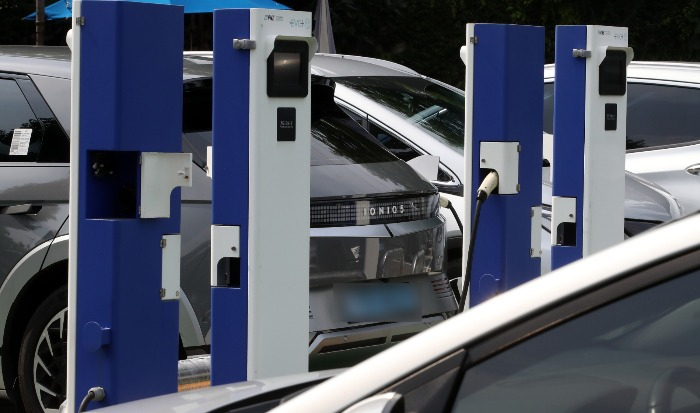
point(125, 162)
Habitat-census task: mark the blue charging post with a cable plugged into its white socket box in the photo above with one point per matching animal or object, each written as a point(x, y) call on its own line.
point(503, 132)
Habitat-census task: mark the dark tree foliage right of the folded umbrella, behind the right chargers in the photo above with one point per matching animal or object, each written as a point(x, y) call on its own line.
point(426, 35)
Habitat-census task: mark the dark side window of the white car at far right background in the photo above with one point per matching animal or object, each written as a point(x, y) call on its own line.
point(659, 115)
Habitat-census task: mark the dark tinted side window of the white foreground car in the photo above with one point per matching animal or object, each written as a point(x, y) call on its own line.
point(637, 354)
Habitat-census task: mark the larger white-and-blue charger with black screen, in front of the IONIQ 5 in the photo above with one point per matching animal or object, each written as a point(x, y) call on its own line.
point(261, 192)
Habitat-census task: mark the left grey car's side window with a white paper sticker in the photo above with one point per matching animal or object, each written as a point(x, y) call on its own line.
point(21, 132)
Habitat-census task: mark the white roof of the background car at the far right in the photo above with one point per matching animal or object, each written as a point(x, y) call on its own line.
point(685, 72)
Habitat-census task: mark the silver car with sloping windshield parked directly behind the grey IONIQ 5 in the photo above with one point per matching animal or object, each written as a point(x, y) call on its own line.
point(413, 115)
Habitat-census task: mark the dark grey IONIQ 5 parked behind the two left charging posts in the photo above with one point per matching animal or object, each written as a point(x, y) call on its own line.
point(349, 172)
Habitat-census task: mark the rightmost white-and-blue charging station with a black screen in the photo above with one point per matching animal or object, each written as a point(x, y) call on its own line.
point(590, 112)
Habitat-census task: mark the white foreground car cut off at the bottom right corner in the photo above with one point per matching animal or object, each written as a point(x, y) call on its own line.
point(614, 332)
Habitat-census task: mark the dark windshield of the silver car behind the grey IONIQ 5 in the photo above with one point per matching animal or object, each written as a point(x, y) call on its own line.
point(436, 109)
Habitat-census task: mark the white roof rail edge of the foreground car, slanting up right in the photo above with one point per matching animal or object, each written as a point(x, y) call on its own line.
point(500, 313)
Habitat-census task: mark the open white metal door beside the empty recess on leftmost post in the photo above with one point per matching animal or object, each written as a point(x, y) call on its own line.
point(160, 174)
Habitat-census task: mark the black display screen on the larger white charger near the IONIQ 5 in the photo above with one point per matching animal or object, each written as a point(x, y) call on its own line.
point(288, 69)
